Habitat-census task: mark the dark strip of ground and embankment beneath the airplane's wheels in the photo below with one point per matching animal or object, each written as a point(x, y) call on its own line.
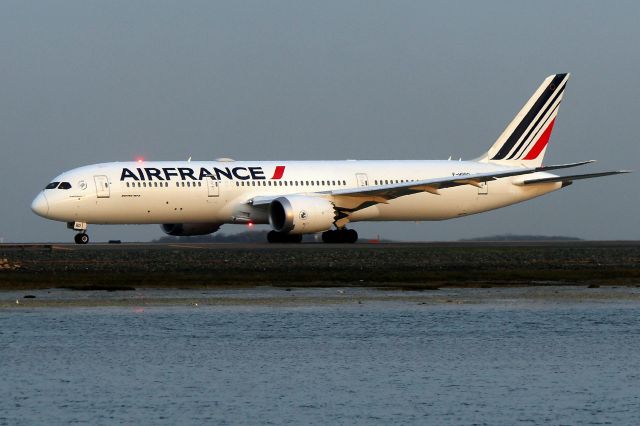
point(407, 266)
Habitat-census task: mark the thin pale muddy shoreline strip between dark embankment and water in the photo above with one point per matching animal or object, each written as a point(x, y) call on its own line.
point(276, 297)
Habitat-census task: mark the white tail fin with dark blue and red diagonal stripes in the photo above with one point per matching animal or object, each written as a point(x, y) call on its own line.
point(524, 141)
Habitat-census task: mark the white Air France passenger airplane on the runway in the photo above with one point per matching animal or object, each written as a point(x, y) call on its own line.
point(307, 197)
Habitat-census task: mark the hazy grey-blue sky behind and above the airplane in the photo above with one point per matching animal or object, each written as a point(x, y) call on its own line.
point(85, 82)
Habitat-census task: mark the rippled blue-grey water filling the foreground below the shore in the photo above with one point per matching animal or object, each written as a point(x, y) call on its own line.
point(500, 361)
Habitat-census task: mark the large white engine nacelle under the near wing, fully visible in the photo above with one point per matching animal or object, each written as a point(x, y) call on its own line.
point(299, 214)
